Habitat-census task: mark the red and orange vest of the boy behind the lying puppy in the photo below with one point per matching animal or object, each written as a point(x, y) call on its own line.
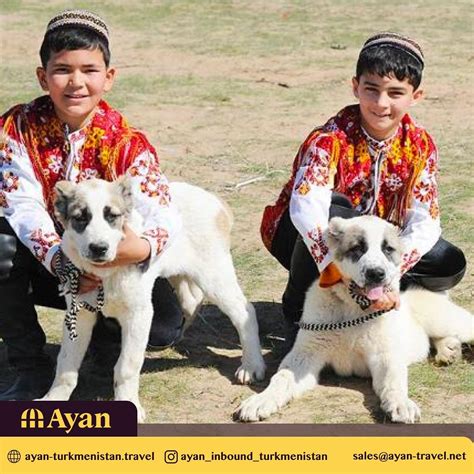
point(343, 140)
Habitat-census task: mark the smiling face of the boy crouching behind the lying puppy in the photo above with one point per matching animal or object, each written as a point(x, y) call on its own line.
point(383, 102)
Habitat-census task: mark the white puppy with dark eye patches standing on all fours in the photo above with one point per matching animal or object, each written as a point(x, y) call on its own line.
point(198, 263)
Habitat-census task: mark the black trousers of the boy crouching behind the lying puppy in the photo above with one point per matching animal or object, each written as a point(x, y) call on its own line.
point(440, 269)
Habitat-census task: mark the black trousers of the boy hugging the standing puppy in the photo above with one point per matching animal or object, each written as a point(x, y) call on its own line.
point(24, 283)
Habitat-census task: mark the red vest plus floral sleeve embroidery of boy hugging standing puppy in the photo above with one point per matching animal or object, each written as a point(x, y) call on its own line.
point(109, 147)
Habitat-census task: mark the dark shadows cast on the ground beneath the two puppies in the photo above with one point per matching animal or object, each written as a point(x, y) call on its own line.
point(211, 342)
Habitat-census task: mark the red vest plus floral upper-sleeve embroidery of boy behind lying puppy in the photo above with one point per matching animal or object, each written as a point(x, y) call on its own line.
point(343, 162)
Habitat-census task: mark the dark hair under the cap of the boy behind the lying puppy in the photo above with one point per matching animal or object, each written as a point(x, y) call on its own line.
point(386, 60)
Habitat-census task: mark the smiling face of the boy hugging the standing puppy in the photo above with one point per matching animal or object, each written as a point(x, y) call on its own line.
point(76, 81)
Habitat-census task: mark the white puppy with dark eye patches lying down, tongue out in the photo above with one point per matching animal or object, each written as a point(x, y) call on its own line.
point(367, 253)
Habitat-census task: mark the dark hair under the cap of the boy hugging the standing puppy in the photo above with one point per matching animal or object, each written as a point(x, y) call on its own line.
point(71, 38)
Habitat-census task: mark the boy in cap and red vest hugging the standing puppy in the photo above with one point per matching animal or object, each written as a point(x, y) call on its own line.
point(71, 134)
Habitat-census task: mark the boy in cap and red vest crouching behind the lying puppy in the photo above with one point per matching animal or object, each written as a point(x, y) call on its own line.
point(370, 158)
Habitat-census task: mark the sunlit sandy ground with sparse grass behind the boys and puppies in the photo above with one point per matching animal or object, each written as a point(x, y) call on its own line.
point(227, 91)
